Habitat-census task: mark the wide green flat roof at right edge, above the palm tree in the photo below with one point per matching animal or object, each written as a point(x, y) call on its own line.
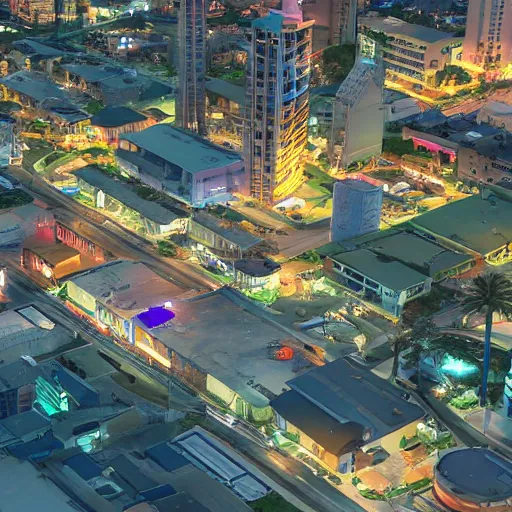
point(481, 225)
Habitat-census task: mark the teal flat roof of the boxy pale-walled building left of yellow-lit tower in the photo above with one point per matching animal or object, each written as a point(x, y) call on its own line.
point(186, 150)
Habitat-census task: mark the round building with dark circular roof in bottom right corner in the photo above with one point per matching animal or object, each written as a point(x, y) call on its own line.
point(474, 479)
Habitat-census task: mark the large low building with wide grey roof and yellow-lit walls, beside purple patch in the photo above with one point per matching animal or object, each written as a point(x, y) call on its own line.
point(236, 365)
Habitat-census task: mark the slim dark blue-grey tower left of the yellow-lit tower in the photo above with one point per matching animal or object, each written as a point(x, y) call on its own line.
point(191, 99)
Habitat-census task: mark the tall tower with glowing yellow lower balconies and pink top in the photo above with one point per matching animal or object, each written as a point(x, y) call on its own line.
point(277, 106)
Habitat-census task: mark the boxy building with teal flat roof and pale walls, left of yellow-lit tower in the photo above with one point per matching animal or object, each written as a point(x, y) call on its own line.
point(182, 165)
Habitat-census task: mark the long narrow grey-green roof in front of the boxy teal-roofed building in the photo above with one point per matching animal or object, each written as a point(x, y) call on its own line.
point(118, 190)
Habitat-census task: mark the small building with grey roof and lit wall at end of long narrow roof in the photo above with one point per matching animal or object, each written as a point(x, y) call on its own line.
point(212, 238)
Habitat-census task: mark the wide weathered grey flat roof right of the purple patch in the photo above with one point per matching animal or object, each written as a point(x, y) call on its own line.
point(237, 354)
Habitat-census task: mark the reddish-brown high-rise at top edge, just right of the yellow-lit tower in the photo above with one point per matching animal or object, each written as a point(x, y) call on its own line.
point(335, 21)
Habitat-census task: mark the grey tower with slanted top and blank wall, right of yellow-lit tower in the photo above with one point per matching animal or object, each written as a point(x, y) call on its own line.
point(358, 121)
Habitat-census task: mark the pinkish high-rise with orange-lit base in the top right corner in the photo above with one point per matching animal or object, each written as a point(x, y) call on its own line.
point(488, 39)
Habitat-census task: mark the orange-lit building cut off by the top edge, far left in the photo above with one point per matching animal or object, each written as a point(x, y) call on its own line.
point(42, 12)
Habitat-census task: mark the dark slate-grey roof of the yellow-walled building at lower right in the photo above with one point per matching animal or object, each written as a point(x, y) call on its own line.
point(350, 393)
